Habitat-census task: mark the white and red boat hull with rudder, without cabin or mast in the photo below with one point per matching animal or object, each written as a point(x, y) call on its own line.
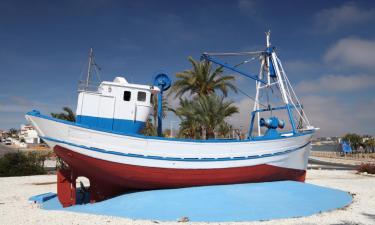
point(115, 163)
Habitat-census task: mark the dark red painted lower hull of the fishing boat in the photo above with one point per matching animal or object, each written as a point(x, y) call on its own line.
point(110, 178)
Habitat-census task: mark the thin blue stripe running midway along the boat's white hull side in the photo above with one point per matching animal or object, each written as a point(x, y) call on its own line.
point(175, 158)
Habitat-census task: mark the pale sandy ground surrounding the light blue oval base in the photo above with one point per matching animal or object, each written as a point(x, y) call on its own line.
point(15, 208)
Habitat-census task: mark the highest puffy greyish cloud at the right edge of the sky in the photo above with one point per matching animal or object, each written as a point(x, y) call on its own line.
point(352, 52)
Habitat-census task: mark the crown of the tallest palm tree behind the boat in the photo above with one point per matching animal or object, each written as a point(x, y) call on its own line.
point(202, 80)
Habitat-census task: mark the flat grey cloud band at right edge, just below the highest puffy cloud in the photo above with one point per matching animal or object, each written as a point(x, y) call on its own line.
point(336, 83)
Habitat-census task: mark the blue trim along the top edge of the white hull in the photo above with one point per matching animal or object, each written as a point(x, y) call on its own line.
point(38, 114)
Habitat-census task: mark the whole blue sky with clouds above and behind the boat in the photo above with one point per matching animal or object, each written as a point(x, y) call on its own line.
point(327, 49)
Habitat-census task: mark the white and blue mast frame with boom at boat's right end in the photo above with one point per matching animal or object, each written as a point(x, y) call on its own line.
point(271, 67)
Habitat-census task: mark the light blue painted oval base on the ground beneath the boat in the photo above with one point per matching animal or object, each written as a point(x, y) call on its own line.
point(222, 203)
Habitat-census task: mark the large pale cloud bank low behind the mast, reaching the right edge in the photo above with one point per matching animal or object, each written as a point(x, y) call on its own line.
point(324, 105)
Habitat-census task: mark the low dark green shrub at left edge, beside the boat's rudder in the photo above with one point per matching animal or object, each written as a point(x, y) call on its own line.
point(22, 164)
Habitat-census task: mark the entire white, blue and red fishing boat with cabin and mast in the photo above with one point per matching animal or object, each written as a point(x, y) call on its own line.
point(104, 144)
